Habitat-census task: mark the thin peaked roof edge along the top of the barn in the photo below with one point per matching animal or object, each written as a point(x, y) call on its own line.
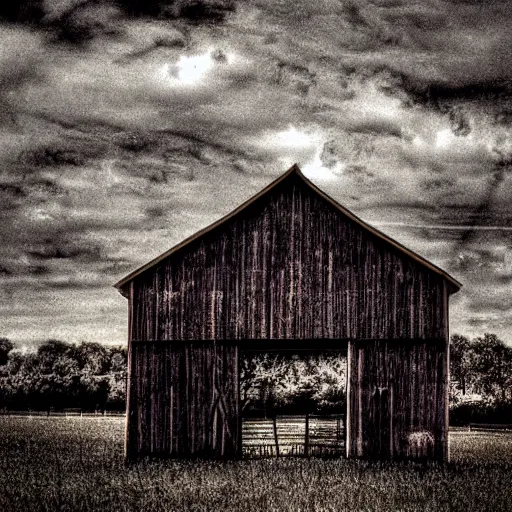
point(294, 169)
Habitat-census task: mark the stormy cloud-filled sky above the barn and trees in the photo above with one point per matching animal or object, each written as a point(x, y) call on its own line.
point(127, 125)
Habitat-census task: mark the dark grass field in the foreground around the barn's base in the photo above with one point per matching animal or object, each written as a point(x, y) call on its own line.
point(76, 464)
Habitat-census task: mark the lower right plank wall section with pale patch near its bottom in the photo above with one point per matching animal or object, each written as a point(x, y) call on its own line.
point(397, 399)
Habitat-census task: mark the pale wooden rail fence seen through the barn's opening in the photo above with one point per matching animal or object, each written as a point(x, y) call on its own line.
point(294, 436)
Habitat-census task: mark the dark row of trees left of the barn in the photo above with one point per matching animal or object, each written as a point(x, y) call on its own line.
point(61, 375)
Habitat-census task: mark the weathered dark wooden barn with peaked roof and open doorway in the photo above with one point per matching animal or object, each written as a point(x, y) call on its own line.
point(289, 269)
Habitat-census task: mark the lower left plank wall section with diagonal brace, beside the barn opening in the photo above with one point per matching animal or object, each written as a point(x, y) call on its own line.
point(183, 400)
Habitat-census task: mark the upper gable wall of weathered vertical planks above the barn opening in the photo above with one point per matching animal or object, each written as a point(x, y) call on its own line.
point(289, 266)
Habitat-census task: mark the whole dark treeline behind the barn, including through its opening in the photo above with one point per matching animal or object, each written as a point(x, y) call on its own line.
point(92, 376)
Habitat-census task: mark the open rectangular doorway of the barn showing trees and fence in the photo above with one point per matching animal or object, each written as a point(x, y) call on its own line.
point(293, 403)
